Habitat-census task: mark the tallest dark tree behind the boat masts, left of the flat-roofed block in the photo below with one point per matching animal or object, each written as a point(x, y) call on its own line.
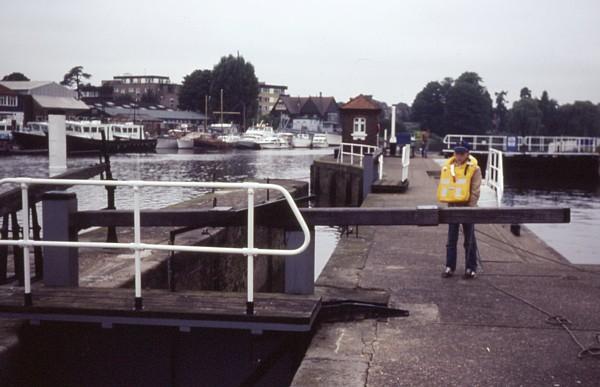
point(236, 78)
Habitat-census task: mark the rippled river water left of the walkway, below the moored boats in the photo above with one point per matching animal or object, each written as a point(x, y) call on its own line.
point(189, 166)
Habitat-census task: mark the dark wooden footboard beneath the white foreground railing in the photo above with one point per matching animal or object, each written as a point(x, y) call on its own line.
point(162, 304)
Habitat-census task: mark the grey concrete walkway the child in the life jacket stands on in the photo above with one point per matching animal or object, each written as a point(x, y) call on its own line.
point(459, 333)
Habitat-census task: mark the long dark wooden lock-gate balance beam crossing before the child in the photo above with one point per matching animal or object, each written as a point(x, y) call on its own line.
point(281, 216)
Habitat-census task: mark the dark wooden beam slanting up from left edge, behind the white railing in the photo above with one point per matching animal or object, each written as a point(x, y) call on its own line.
point(10, 201)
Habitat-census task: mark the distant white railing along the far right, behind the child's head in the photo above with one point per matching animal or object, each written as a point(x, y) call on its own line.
point(528, 144)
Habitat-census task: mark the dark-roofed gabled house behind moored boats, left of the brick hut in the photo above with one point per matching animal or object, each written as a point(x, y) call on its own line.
point(312, 114)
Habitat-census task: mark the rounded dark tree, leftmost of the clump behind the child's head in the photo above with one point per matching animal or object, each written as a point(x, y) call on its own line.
point(428, 107)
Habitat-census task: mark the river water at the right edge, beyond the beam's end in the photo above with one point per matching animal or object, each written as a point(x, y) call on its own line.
point(578, 241)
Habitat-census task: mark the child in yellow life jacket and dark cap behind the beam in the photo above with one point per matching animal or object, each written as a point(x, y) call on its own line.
point(460, 183)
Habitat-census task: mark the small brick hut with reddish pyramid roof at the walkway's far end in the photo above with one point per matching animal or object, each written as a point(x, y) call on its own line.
point(360, 120)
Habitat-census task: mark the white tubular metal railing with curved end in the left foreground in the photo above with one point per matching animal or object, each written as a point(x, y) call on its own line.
point(137, 246)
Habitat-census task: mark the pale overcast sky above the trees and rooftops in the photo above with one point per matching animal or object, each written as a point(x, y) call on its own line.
point(390, 49)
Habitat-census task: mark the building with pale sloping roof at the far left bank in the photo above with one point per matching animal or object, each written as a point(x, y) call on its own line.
point(35, 100)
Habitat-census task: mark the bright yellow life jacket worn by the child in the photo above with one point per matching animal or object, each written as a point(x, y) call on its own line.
point(455, 181)
